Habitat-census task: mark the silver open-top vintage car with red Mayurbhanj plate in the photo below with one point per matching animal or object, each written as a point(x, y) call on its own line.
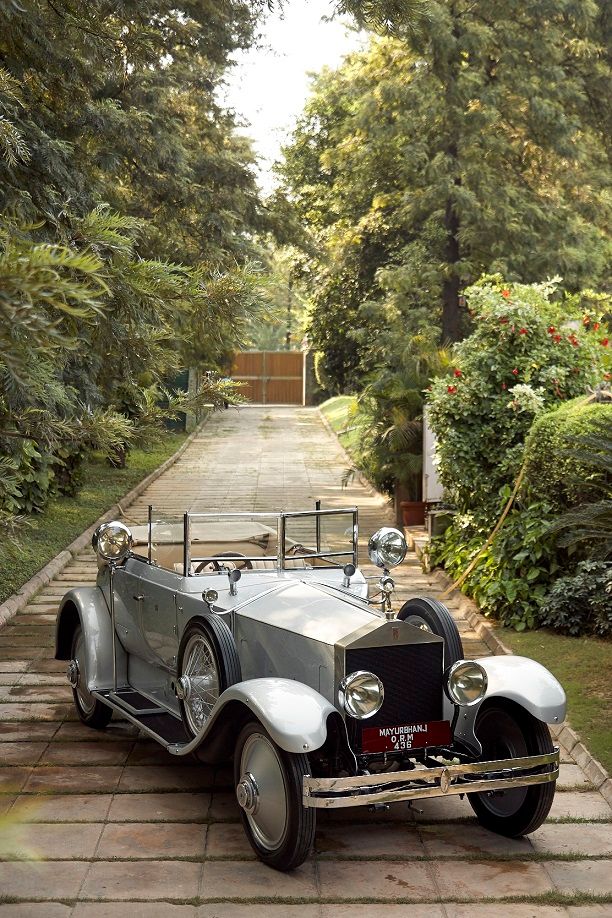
point(256, 635)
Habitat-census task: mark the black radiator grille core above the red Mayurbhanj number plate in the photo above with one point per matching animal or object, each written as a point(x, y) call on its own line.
point(412, 678)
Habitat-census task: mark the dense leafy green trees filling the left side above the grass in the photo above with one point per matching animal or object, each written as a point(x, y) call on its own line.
point(127, 215)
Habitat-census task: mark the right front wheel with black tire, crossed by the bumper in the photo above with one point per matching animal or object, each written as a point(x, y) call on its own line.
point(506, 730)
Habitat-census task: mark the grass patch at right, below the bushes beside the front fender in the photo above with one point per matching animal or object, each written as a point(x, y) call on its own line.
point(582, 666)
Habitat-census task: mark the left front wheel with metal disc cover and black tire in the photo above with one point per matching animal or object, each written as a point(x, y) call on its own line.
point(268, 781)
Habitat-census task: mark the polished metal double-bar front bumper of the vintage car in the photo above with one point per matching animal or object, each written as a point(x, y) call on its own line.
point(391, 787)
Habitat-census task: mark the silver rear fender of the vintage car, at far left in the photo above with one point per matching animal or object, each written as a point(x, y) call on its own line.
point(86, 606)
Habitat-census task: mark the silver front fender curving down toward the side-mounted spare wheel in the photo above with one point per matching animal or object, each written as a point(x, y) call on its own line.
point(294, 715)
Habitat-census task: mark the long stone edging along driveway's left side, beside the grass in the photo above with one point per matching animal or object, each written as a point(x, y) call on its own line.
point(19, 600)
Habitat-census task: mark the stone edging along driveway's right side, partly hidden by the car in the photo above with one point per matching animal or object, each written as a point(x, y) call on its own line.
point(592, 768)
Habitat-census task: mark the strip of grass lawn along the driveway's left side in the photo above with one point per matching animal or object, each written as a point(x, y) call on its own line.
point(65, 518)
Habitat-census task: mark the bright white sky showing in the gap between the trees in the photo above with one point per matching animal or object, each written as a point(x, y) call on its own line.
point(270, 83)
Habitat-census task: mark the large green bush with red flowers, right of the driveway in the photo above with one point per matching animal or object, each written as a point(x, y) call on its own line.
point(528, 352)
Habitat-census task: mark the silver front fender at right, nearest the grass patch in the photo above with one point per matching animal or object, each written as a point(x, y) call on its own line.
point(521, 680)
